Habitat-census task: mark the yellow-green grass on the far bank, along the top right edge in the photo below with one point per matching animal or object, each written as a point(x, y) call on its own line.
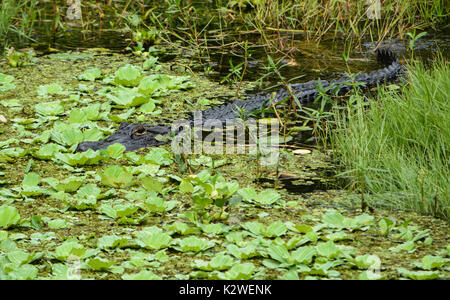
point(348, 18)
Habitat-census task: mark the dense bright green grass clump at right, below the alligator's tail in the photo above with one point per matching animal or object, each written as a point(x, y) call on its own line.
point(395, 147)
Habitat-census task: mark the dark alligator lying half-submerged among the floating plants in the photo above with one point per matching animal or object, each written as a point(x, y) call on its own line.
point(135, 136)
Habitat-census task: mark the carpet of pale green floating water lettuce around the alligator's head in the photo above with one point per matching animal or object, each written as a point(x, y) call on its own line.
point(138, 215)
